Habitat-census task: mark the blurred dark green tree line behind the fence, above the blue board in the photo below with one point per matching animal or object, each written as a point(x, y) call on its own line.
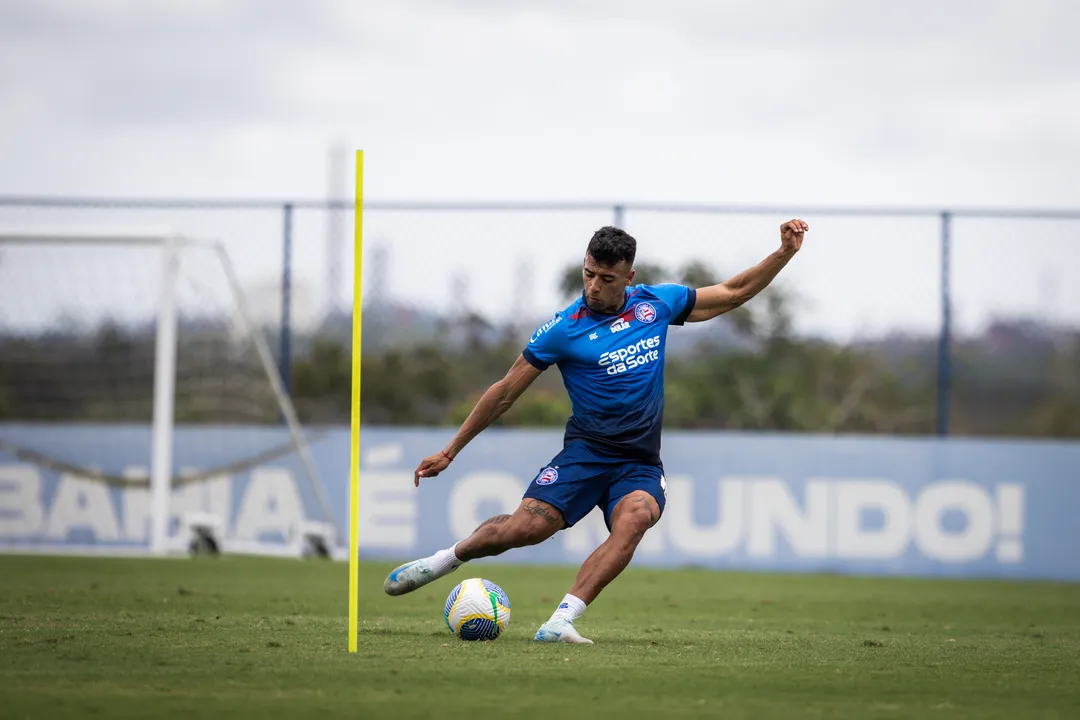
point(758, 375)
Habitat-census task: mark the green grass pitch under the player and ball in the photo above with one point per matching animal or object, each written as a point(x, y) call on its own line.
point(242, 637)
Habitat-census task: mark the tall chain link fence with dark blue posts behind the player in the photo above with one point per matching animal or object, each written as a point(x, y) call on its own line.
point(911, 321)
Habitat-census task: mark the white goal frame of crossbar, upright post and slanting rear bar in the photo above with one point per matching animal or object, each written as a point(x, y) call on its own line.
point(165, 374)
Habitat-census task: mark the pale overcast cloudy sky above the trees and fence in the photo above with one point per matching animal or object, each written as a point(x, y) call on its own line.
point(791, 103)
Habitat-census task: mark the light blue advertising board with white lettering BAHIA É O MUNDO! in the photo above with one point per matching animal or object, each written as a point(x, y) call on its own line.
point(874, 506)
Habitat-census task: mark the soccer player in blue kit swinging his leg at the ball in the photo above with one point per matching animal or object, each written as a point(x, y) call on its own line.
point(610, 346)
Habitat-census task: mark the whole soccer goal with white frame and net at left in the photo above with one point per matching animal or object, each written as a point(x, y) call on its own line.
point(139, 399)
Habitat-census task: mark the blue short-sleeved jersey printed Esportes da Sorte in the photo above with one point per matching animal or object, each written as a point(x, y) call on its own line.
point(613, 368)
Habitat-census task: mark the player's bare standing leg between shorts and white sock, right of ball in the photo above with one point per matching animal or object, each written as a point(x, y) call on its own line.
point(634, 514)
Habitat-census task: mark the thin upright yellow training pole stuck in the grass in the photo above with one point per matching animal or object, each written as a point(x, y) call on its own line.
point(358, 307)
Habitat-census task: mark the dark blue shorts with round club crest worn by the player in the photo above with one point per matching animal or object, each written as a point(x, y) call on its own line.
point(579, 480)
